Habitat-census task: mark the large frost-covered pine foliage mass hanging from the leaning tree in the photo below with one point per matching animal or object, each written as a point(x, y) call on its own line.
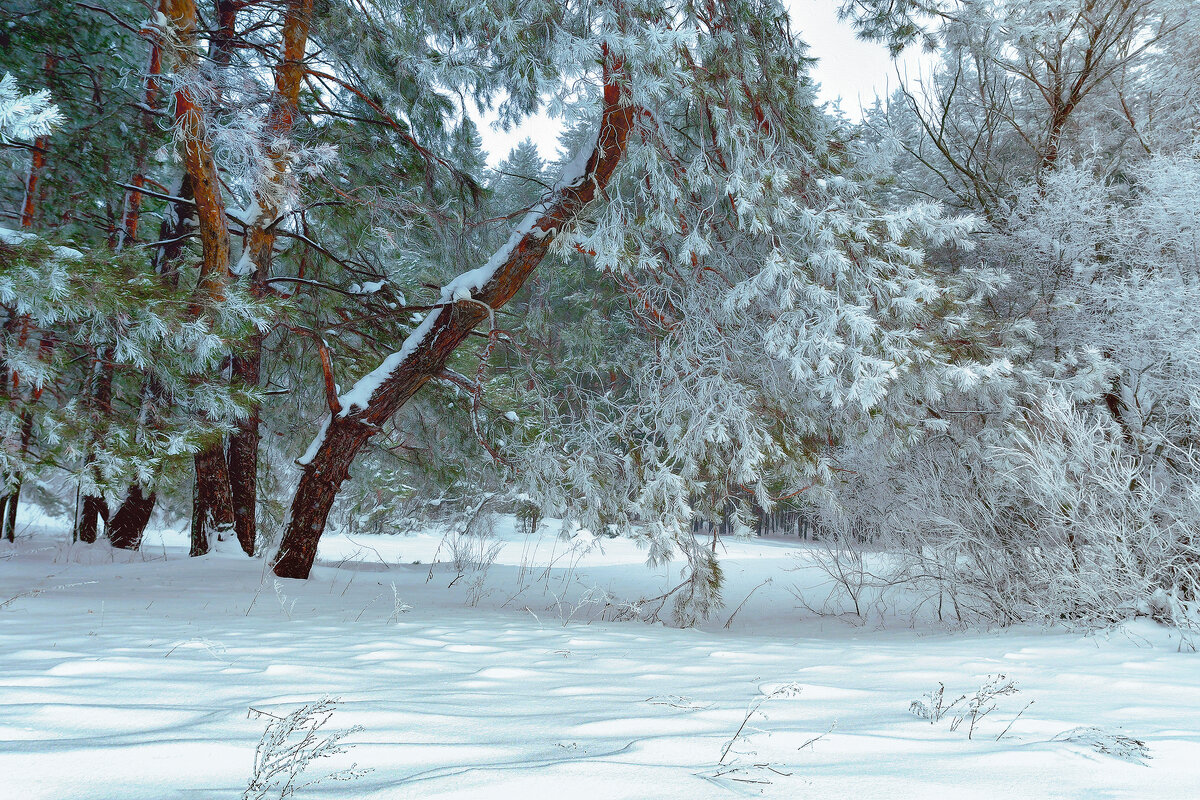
point(779, 308)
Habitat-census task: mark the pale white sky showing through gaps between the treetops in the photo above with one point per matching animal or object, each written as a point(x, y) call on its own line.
point(848, 68)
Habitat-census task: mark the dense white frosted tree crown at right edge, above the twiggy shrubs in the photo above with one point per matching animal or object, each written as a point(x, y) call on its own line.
point(1114, 268)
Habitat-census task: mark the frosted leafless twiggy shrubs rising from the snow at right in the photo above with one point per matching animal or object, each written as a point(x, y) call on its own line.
point(1061, 527)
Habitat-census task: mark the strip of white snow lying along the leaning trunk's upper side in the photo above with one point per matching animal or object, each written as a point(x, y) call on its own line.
point(461, 288)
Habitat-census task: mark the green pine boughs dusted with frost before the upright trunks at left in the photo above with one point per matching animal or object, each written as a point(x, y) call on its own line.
point(139, 327)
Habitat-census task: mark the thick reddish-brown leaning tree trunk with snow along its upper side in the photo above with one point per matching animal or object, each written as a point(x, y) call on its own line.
point(466, 303)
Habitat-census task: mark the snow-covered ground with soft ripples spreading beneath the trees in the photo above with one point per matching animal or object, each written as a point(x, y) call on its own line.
point(134, 678)
